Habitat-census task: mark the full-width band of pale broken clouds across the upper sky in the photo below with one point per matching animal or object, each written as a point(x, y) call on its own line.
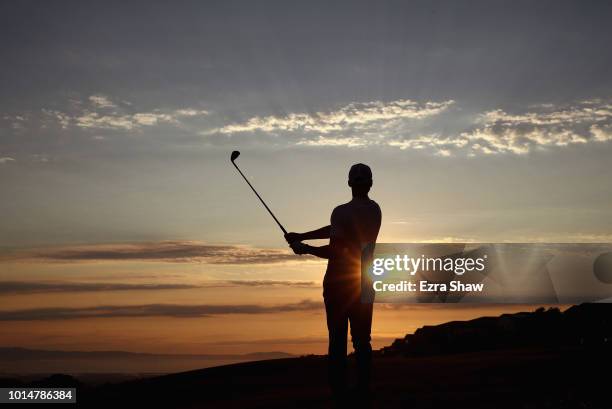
point(431, 127)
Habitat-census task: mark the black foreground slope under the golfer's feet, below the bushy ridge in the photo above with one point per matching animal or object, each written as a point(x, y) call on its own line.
point(528, 378)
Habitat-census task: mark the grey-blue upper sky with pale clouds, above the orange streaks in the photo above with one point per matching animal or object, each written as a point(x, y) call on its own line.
point(481, 120)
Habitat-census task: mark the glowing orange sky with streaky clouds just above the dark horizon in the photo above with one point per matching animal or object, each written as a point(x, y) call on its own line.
point(237, 308)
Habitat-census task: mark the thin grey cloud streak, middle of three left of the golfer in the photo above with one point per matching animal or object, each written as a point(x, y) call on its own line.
point(30, 287)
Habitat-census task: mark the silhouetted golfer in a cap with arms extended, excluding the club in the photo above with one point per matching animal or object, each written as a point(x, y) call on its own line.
point(353, 225)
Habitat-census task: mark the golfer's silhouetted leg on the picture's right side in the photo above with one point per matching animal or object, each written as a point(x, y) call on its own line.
point(360, 316)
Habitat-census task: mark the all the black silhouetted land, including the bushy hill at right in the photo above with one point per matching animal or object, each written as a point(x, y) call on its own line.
point(544, 359)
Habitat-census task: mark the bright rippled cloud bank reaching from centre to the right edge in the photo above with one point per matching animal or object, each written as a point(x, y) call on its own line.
point(392, 124)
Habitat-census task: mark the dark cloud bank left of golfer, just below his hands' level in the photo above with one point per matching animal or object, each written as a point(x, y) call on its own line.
point(169, 251)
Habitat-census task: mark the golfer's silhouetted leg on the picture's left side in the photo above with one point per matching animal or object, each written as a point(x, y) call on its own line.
point(337, 327)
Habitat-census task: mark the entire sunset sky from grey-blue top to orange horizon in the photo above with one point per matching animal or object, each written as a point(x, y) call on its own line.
point(124, 226)
